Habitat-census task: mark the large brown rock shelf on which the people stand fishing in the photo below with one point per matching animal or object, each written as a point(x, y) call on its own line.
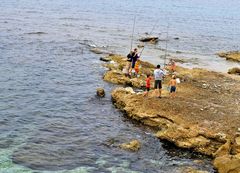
point(204, 117)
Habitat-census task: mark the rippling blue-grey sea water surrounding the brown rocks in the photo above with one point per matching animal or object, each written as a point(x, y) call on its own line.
point(51, 120)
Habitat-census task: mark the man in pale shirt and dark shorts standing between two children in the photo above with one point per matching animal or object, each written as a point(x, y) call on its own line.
point(158, 77)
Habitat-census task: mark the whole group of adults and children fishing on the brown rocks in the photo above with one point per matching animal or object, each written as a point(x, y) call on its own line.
point(159, 74)
